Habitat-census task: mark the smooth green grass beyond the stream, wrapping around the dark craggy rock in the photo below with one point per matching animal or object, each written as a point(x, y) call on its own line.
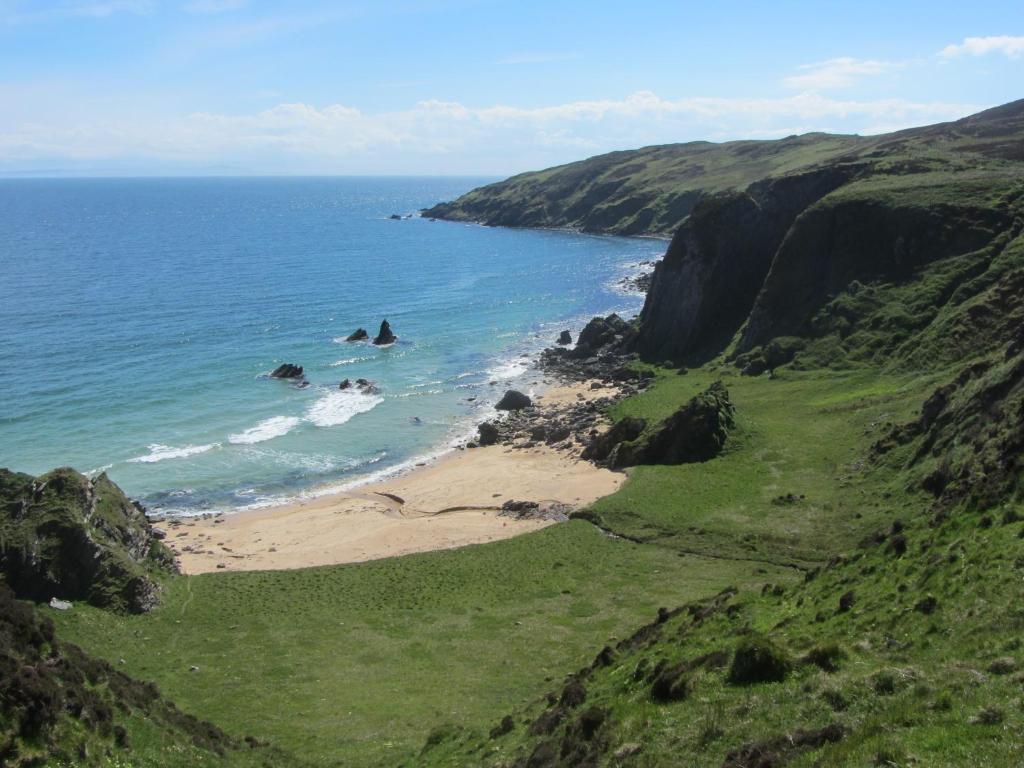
point(802, 434)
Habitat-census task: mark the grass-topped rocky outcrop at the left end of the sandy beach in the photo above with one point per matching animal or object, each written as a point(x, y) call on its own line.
point(65, 536)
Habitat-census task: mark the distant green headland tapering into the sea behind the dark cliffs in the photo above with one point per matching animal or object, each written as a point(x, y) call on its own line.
point(654, 190)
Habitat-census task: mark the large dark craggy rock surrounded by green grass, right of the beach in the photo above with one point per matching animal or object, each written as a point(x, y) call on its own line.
point(697, 433)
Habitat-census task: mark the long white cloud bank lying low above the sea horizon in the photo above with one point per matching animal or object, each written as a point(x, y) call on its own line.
point(438, 137)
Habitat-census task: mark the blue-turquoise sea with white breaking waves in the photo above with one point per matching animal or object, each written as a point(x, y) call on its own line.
point(140, 320)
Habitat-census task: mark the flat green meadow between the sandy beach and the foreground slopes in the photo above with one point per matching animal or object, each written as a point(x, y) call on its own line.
point(356, 665)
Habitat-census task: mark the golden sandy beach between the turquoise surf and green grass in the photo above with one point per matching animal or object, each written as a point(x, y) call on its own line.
point(453, 502)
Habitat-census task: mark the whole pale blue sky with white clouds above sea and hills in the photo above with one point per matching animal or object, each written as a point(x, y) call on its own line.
point(473, 88)
